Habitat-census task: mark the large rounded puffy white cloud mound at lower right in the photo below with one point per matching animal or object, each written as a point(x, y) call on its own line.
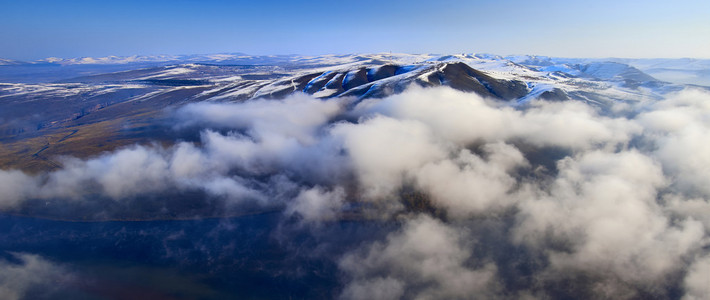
point(603, 209)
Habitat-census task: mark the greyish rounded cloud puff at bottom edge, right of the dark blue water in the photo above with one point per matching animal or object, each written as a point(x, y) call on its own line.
point(425, 260)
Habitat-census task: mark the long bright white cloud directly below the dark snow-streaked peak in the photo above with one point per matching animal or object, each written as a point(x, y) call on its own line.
point(465, 118)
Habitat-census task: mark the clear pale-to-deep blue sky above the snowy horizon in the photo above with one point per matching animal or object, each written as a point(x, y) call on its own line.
point(31, 29)
